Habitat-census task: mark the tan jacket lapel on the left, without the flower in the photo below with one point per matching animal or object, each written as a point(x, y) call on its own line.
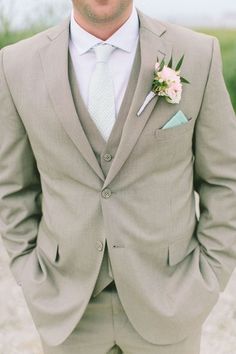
point(54, 57)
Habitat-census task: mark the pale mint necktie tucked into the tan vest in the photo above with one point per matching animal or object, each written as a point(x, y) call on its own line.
point(101, 102)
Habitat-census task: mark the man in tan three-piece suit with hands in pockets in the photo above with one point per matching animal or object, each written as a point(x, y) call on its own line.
point(97, 182)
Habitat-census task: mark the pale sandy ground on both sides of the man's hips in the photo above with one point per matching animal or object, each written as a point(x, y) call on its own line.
point(19, 336)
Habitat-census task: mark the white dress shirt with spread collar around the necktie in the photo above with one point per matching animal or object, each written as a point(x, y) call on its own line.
point(125, 39)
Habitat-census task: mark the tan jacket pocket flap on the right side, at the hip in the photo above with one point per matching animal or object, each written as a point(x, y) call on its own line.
point(180, 249)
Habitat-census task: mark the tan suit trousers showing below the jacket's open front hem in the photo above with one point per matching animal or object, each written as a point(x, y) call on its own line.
point(105, 329)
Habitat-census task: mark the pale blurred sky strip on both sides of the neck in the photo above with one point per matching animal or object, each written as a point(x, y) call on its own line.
point(210, 10)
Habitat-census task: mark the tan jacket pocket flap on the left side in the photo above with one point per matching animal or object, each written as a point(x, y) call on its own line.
point(49, 246)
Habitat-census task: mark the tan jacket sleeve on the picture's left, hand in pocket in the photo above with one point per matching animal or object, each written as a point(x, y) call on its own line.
point(20, 188)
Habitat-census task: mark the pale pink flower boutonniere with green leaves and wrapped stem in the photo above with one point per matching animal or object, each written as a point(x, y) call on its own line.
point(167, 83)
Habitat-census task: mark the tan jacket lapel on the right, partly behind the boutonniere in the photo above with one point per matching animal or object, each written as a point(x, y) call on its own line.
point(152, 45)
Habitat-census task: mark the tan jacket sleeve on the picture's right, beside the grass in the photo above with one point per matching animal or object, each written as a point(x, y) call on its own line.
point(215, 173)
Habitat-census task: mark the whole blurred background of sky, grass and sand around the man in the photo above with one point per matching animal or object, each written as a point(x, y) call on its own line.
point(22, 18)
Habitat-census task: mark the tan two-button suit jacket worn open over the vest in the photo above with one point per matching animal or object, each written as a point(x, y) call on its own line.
point(57, 208)
